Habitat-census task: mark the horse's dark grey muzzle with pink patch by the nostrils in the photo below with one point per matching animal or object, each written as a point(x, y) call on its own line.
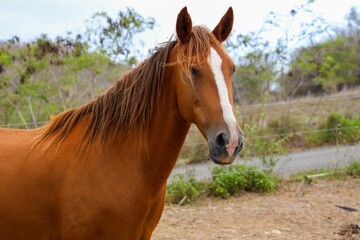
point(224, 149)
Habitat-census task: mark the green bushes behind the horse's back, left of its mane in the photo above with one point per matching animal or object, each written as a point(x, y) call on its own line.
point(45, 77)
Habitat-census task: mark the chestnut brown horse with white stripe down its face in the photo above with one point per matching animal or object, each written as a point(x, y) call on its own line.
point(99, 171)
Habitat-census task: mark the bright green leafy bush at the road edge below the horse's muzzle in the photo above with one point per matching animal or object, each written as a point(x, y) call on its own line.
point(236, 178)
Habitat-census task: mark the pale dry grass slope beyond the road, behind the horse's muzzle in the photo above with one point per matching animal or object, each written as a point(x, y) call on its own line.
point(300, 117)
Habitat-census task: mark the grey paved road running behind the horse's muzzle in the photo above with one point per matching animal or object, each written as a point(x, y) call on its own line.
point(320, 158)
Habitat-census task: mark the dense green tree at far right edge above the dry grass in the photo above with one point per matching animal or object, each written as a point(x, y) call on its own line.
point(328, 66)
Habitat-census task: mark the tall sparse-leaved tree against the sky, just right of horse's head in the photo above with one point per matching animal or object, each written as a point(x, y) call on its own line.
point(263, 61)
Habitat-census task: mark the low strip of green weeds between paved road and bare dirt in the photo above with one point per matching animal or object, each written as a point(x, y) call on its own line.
point(238, 179)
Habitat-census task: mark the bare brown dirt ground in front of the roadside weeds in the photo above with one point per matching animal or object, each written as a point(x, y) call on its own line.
point(296, 211)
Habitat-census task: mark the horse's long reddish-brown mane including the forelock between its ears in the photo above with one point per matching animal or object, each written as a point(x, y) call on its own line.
point(130, 104)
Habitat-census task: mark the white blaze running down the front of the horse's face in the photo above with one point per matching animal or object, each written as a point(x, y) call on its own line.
point(215, 62)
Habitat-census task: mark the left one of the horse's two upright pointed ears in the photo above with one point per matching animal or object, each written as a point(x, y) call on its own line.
point(183, 26)
